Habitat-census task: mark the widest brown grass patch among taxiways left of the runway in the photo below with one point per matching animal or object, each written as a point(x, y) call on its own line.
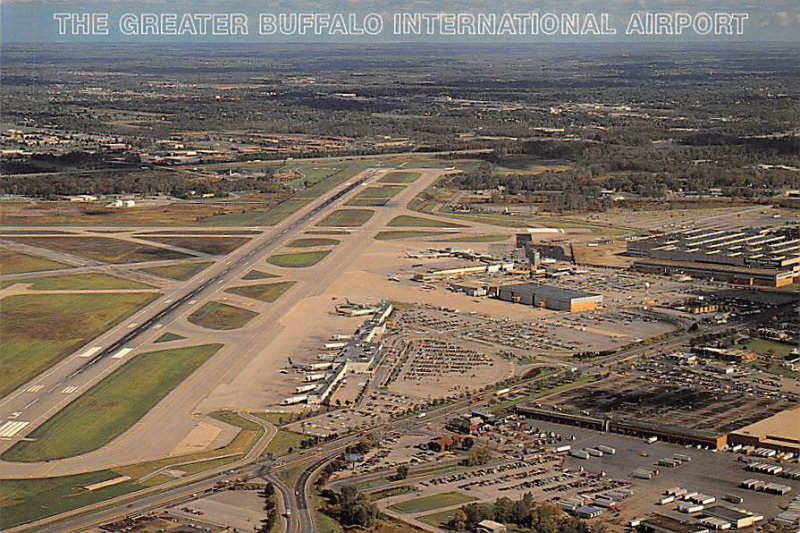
point(105, 249)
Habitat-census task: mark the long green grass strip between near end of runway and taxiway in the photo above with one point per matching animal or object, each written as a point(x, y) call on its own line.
point(111, 406)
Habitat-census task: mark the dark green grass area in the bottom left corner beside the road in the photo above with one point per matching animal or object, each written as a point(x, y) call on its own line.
point(25, 500)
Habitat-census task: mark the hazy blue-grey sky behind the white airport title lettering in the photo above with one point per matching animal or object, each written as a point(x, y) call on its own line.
point(33, 20)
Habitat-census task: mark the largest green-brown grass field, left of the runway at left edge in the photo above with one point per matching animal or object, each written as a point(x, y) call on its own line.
point(37, 331)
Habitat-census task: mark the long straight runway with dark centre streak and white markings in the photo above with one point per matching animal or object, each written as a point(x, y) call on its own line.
point(36, 401)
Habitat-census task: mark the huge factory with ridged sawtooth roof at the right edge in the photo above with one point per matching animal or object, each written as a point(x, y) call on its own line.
point(746, 257)
